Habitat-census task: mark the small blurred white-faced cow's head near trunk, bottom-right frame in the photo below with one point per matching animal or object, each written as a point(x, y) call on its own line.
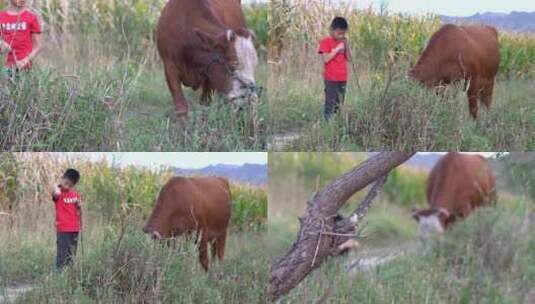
point(432, 221)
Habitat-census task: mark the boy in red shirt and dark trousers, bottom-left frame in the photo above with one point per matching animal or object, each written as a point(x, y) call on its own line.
point(68, 217)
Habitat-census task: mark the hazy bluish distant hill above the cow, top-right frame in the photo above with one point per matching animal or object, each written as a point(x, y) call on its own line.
point(521, 22)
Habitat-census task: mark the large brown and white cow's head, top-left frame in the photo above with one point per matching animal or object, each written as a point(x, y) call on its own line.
point(231, 64)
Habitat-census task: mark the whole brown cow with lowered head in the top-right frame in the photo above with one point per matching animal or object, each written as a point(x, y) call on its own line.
point(456, 53)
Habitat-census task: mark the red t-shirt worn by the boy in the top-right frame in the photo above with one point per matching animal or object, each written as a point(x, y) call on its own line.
point(336, 69)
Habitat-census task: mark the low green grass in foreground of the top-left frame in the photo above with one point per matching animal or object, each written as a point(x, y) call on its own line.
point(114, 109)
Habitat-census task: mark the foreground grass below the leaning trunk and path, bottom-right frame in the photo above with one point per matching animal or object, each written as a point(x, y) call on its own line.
point(487, 258)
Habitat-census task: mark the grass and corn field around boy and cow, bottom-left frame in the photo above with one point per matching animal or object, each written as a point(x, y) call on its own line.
point(116, 261)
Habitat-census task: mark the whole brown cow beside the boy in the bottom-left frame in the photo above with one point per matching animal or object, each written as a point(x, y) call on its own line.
point(193, 205)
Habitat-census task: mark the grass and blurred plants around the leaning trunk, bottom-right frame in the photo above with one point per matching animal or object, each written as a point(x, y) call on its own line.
point(487, 258)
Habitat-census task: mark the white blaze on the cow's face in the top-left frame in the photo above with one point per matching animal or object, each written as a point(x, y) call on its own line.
point(243, 84)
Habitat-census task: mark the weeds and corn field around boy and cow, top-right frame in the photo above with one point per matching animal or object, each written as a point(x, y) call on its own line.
point(382, 109)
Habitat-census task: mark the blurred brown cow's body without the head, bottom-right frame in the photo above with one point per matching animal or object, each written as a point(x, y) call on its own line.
point(459, 183)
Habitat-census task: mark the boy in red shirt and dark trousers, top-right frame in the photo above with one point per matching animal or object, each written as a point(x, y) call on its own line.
point(335, 55)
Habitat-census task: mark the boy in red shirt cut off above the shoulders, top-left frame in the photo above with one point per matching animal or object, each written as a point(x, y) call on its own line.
point(20, 35)
